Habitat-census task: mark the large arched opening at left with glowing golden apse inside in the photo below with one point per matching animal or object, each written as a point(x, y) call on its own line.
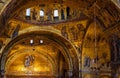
point(56, 54)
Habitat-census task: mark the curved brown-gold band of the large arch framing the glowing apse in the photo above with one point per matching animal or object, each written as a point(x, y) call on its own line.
point(52, 34)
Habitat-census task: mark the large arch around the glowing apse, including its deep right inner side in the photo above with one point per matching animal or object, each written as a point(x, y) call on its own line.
point(67, 50)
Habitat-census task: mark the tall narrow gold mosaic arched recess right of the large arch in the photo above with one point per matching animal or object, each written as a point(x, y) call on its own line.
point(95, 52)
